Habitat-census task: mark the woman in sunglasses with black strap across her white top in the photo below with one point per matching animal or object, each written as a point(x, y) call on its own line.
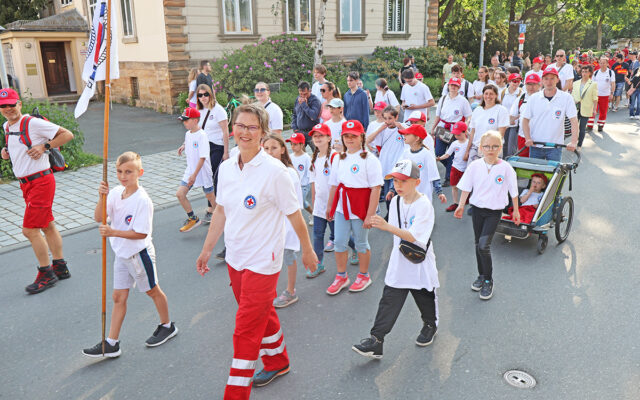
point(213, 120)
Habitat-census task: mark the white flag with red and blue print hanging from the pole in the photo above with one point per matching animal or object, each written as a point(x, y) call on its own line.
point(95, 64)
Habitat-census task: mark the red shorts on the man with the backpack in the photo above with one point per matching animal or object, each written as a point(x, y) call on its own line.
point(38, 197)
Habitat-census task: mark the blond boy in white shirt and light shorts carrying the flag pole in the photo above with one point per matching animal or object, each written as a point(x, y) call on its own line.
point(130, 212)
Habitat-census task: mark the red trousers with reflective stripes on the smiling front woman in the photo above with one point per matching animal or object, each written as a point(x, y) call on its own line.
point(257, 332)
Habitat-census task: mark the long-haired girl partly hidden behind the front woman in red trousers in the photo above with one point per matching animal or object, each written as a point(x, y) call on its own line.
point(275, 146)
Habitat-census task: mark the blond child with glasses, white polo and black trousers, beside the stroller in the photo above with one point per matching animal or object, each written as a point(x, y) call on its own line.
point(491, 180)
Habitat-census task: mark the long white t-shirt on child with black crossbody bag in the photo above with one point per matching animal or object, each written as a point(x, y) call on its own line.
point(401, 273)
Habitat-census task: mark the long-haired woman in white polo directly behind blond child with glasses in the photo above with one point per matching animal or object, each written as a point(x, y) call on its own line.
point(489, 115)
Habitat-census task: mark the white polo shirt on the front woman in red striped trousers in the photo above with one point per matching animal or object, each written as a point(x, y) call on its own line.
point(256, 201)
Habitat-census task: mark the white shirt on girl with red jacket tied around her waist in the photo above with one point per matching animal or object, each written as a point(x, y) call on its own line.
point(355, 172)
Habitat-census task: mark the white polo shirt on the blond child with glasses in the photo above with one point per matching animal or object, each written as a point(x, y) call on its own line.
point(489, 189)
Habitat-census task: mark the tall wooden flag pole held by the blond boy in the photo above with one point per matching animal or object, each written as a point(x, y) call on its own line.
point(105, 156)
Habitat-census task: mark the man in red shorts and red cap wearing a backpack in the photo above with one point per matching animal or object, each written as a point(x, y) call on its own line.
point(31, 166)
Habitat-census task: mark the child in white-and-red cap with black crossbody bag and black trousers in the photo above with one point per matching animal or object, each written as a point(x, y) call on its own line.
point(411, 219)
